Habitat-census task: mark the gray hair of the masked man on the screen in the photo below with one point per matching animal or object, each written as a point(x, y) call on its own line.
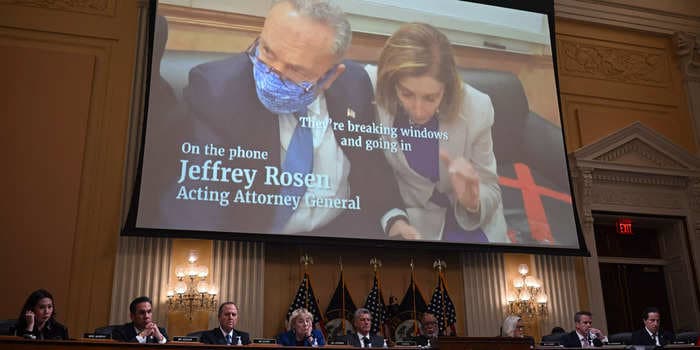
point(329, 14)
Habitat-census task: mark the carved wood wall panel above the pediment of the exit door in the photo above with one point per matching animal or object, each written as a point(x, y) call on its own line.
point(610, 78)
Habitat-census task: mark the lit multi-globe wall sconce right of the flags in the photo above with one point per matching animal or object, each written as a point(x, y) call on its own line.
point(529, 299)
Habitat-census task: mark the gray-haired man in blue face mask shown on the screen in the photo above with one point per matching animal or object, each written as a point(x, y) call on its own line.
point(283, 96)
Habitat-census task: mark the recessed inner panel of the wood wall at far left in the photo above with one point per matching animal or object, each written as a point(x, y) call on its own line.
point(44, 145)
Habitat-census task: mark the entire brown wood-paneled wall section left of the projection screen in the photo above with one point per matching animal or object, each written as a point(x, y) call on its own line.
point(68, 66)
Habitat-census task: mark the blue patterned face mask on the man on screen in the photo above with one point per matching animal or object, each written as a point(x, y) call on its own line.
point(280, 95)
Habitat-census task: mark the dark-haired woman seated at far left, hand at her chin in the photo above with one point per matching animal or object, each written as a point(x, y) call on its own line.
point(37, 320)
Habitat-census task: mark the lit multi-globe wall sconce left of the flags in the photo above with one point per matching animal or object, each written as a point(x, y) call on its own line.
point(192, 292)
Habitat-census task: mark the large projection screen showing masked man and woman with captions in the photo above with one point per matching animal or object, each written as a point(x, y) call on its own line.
point(254, 132)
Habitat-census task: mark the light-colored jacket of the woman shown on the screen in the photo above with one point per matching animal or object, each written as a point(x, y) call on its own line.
point(469, 136)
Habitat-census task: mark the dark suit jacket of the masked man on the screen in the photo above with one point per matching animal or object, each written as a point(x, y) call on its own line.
point(224, 109)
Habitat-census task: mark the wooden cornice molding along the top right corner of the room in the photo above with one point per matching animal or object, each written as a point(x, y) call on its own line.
point(621, 14)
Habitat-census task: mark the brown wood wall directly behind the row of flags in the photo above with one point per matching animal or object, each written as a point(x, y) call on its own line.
point(284, 273)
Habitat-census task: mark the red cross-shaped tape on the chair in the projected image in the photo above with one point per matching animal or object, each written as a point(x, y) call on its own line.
point(532, 201)
